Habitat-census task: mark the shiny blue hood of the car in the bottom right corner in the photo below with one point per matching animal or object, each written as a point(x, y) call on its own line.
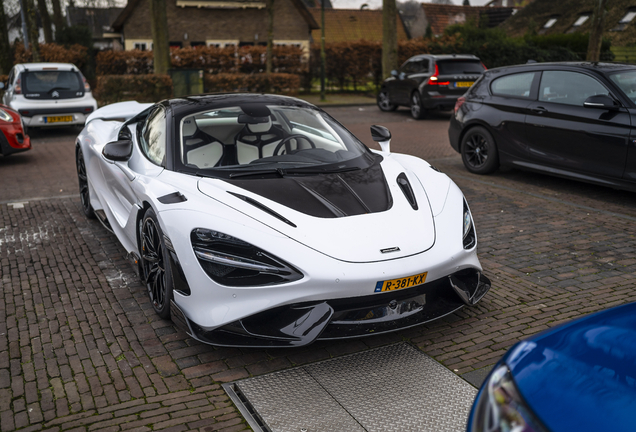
point(581, 376)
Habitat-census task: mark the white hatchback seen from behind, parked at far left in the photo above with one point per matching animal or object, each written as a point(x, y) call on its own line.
point(49, 94)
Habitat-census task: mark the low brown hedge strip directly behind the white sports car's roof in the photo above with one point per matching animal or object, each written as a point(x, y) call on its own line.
point(257, 83)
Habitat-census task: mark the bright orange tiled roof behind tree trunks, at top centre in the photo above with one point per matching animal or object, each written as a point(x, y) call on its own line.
point(349, 25)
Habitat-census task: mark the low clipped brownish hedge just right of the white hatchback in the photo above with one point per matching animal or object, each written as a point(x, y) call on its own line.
point(142, 88)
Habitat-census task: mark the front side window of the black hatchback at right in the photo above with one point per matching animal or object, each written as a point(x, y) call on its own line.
point(569, 88)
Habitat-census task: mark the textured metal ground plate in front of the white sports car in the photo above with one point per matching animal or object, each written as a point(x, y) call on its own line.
point(393, 388)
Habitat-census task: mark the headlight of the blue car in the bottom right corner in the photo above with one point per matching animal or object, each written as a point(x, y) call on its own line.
point(500, 407)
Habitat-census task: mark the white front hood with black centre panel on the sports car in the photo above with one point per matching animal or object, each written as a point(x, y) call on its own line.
point(375, 214)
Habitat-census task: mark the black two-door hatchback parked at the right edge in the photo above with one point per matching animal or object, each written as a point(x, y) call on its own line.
point(575, 120)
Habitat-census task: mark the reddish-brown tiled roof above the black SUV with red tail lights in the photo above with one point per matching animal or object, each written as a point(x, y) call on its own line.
point(440, 16)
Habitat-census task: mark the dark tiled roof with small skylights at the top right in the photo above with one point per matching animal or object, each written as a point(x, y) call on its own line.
point(551, 17)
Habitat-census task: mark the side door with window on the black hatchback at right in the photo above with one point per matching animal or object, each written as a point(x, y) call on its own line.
point(563, 134)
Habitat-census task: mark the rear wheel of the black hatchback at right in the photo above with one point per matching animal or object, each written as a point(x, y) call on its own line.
point(479, 151)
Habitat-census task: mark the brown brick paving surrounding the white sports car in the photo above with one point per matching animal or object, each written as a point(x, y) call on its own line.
point(81, 349)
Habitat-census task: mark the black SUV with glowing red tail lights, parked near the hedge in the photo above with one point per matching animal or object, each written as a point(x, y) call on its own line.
point(426, 82)
